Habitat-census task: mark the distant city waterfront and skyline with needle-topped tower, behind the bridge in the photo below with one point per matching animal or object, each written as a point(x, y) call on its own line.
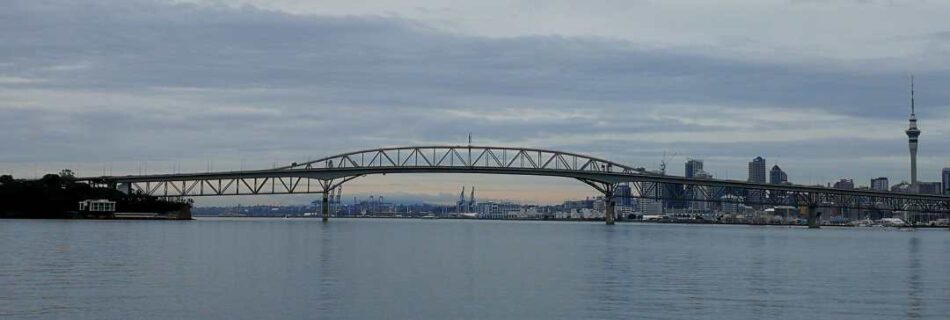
point(673, 202)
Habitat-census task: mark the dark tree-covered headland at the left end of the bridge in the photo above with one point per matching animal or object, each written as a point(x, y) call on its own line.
point(57, 196)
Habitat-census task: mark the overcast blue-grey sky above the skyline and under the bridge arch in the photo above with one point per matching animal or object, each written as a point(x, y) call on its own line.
point(819, 87)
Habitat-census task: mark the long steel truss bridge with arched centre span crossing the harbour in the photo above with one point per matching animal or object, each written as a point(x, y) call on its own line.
point(325, 174)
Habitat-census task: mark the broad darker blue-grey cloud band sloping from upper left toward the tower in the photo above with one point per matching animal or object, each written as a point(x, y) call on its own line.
point(372, 60)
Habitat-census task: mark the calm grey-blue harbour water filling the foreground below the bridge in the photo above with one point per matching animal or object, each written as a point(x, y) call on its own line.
point(446, 269)
